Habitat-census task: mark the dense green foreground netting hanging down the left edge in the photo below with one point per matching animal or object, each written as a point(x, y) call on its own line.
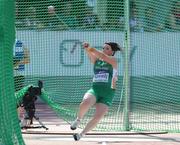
point(10, 131)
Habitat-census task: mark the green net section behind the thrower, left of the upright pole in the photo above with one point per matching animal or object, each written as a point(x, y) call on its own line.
point(53, 33)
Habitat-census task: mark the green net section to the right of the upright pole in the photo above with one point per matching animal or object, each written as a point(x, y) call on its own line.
point(154, 67)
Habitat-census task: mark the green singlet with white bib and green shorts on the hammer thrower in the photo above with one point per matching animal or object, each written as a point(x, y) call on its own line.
point(102, 79)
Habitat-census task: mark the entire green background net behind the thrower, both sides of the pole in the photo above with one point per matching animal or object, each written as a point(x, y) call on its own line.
point(49, 34)
